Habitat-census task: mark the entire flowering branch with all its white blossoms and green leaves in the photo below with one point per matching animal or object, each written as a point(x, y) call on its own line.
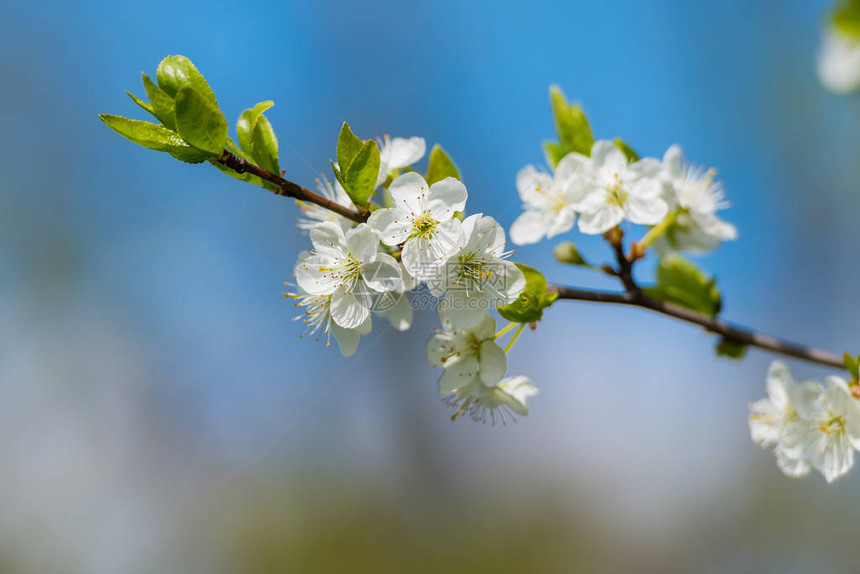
point(387, 238)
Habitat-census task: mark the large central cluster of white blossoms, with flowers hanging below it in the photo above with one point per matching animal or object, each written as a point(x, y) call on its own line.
point(419, 238)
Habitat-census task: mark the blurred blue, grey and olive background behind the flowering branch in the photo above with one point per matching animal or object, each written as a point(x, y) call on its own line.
point(158, 411)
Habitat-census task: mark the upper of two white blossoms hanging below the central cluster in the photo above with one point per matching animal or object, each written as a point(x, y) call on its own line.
point(466, 354)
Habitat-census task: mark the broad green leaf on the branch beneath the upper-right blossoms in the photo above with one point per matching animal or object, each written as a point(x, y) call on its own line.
point(682, 283)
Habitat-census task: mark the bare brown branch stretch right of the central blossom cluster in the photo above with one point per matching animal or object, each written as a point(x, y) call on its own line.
point(726, 331)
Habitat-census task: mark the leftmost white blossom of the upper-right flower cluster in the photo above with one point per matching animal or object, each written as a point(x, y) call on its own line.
point(547, 200)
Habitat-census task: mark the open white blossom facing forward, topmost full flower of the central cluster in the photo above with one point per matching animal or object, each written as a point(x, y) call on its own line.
point(421, 217)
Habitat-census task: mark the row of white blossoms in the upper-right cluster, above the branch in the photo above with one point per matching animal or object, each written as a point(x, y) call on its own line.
point(606, 188)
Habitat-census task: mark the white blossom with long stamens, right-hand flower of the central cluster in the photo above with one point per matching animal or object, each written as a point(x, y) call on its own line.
point(479, 277)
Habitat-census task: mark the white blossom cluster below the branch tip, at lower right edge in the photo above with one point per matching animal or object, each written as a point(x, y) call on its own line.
point(808, 426)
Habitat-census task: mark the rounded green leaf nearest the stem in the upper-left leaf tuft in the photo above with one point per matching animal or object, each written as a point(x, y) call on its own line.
point(200, 122)
